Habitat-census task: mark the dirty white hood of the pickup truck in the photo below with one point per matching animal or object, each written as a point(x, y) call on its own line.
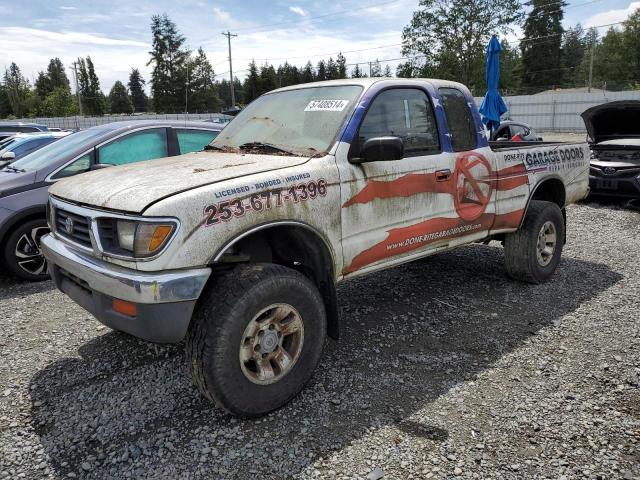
point(132, 188)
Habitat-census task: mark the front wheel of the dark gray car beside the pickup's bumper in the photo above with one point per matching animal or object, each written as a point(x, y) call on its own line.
point(22, 254)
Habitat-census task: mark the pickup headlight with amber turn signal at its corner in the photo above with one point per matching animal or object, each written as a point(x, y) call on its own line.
point(143, 239)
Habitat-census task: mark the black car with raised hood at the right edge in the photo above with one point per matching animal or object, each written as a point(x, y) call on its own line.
point(614, 136)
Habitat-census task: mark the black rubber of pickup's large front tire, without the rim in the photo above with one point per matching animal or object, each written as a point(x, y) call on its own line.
point(218, 325)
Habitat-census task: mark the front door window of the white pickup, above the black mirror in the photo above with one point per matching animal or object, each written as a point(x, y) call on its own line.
point(404, 113)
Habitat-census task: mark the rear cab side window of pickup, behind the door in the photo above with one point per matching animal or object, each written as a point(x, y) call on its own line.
point(459, 118)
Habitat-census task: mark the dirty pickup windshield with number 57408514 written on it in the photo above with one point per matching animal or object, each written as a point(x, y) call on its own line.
point(303, 121)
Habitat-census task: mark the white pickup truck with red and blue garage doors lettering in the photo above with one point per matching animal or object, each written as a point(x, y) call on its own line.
point(239, 248)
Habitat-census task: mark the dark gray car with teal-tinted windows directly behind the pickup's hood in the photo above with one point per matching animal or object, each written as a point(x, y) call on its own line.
point(24, 184)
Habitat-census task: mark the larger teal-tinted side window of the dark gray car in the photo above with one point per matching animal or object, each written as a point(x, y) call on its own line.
point(135, 147)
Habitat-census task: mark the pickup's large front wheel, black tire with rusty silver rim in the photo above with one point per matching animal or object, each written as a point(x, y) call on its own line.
point(255, 338)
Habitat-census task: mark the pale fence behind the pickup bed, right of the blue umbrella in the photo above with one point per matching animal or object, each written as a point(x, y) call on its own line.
point(559, 112)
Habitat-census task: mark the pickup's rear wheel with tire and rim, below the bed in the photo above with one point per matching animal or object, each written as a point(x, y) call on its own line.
point(532, 253)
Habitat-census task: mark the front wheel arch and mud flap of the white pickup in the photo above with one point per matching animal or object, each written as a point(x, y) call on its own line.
point(296, 245)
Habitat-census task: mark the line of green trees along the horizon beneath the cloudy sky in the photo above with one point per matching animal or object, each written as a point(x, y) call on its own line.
point(445, 39)
